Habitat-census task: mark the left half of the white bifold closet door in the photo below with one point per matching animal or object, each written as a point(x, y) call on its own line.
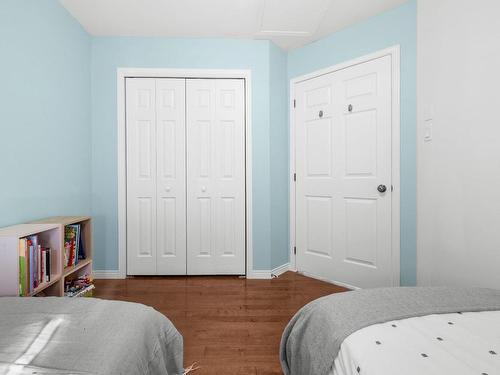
point(156, 192)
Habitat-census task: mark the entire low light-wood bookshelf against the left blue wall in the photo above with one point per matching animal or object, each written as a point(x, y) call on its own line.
point(50, 232)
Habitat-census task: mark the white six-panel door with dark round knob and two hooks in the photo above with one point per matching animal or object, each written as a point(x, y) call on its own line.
point(343, 158)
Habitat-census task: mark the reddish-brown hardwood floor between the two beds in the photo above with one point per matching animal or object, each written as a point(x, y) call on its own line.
point(230, 325)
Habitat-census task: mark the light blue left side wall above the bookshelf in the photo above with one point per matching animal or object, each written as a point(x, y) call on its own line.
point(44, 112)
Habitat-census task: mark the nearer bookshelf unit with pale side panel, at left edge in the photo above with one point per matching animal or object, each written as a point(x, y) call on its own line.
point(49, 236)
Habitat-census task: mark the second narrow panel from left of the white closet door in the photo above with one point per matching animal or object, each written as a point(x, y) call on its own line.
point(171, 176)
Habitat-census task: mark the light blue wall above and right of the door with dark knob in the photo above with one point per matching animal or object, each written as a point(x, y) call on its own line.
point(396, 26)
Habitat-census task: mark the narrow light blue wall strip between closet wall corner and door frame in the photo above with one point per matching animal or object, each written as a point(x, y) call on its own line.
point(279, 157)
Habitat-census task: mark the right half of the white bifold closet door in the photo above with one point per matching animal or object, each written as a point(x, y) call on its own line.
point(215, 176)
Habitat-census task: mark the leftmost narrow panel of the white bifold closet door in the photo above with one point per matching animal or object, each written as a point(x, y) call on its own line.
point(141, 176)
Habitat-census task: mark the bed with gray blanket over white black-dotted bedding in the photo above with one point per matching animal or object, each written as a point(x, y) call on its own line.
point(324, 335)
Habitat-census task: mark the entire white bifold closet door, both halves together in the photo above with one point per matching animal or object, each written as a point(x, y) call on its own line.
point(185, 176)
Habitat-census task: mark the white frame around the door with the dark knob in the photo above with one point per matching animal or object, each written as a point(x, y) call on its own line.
point(394, 52)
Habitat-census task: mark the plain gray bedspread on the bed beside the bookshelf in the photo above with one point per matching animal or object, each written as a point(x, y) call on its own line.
point(86, 336)
